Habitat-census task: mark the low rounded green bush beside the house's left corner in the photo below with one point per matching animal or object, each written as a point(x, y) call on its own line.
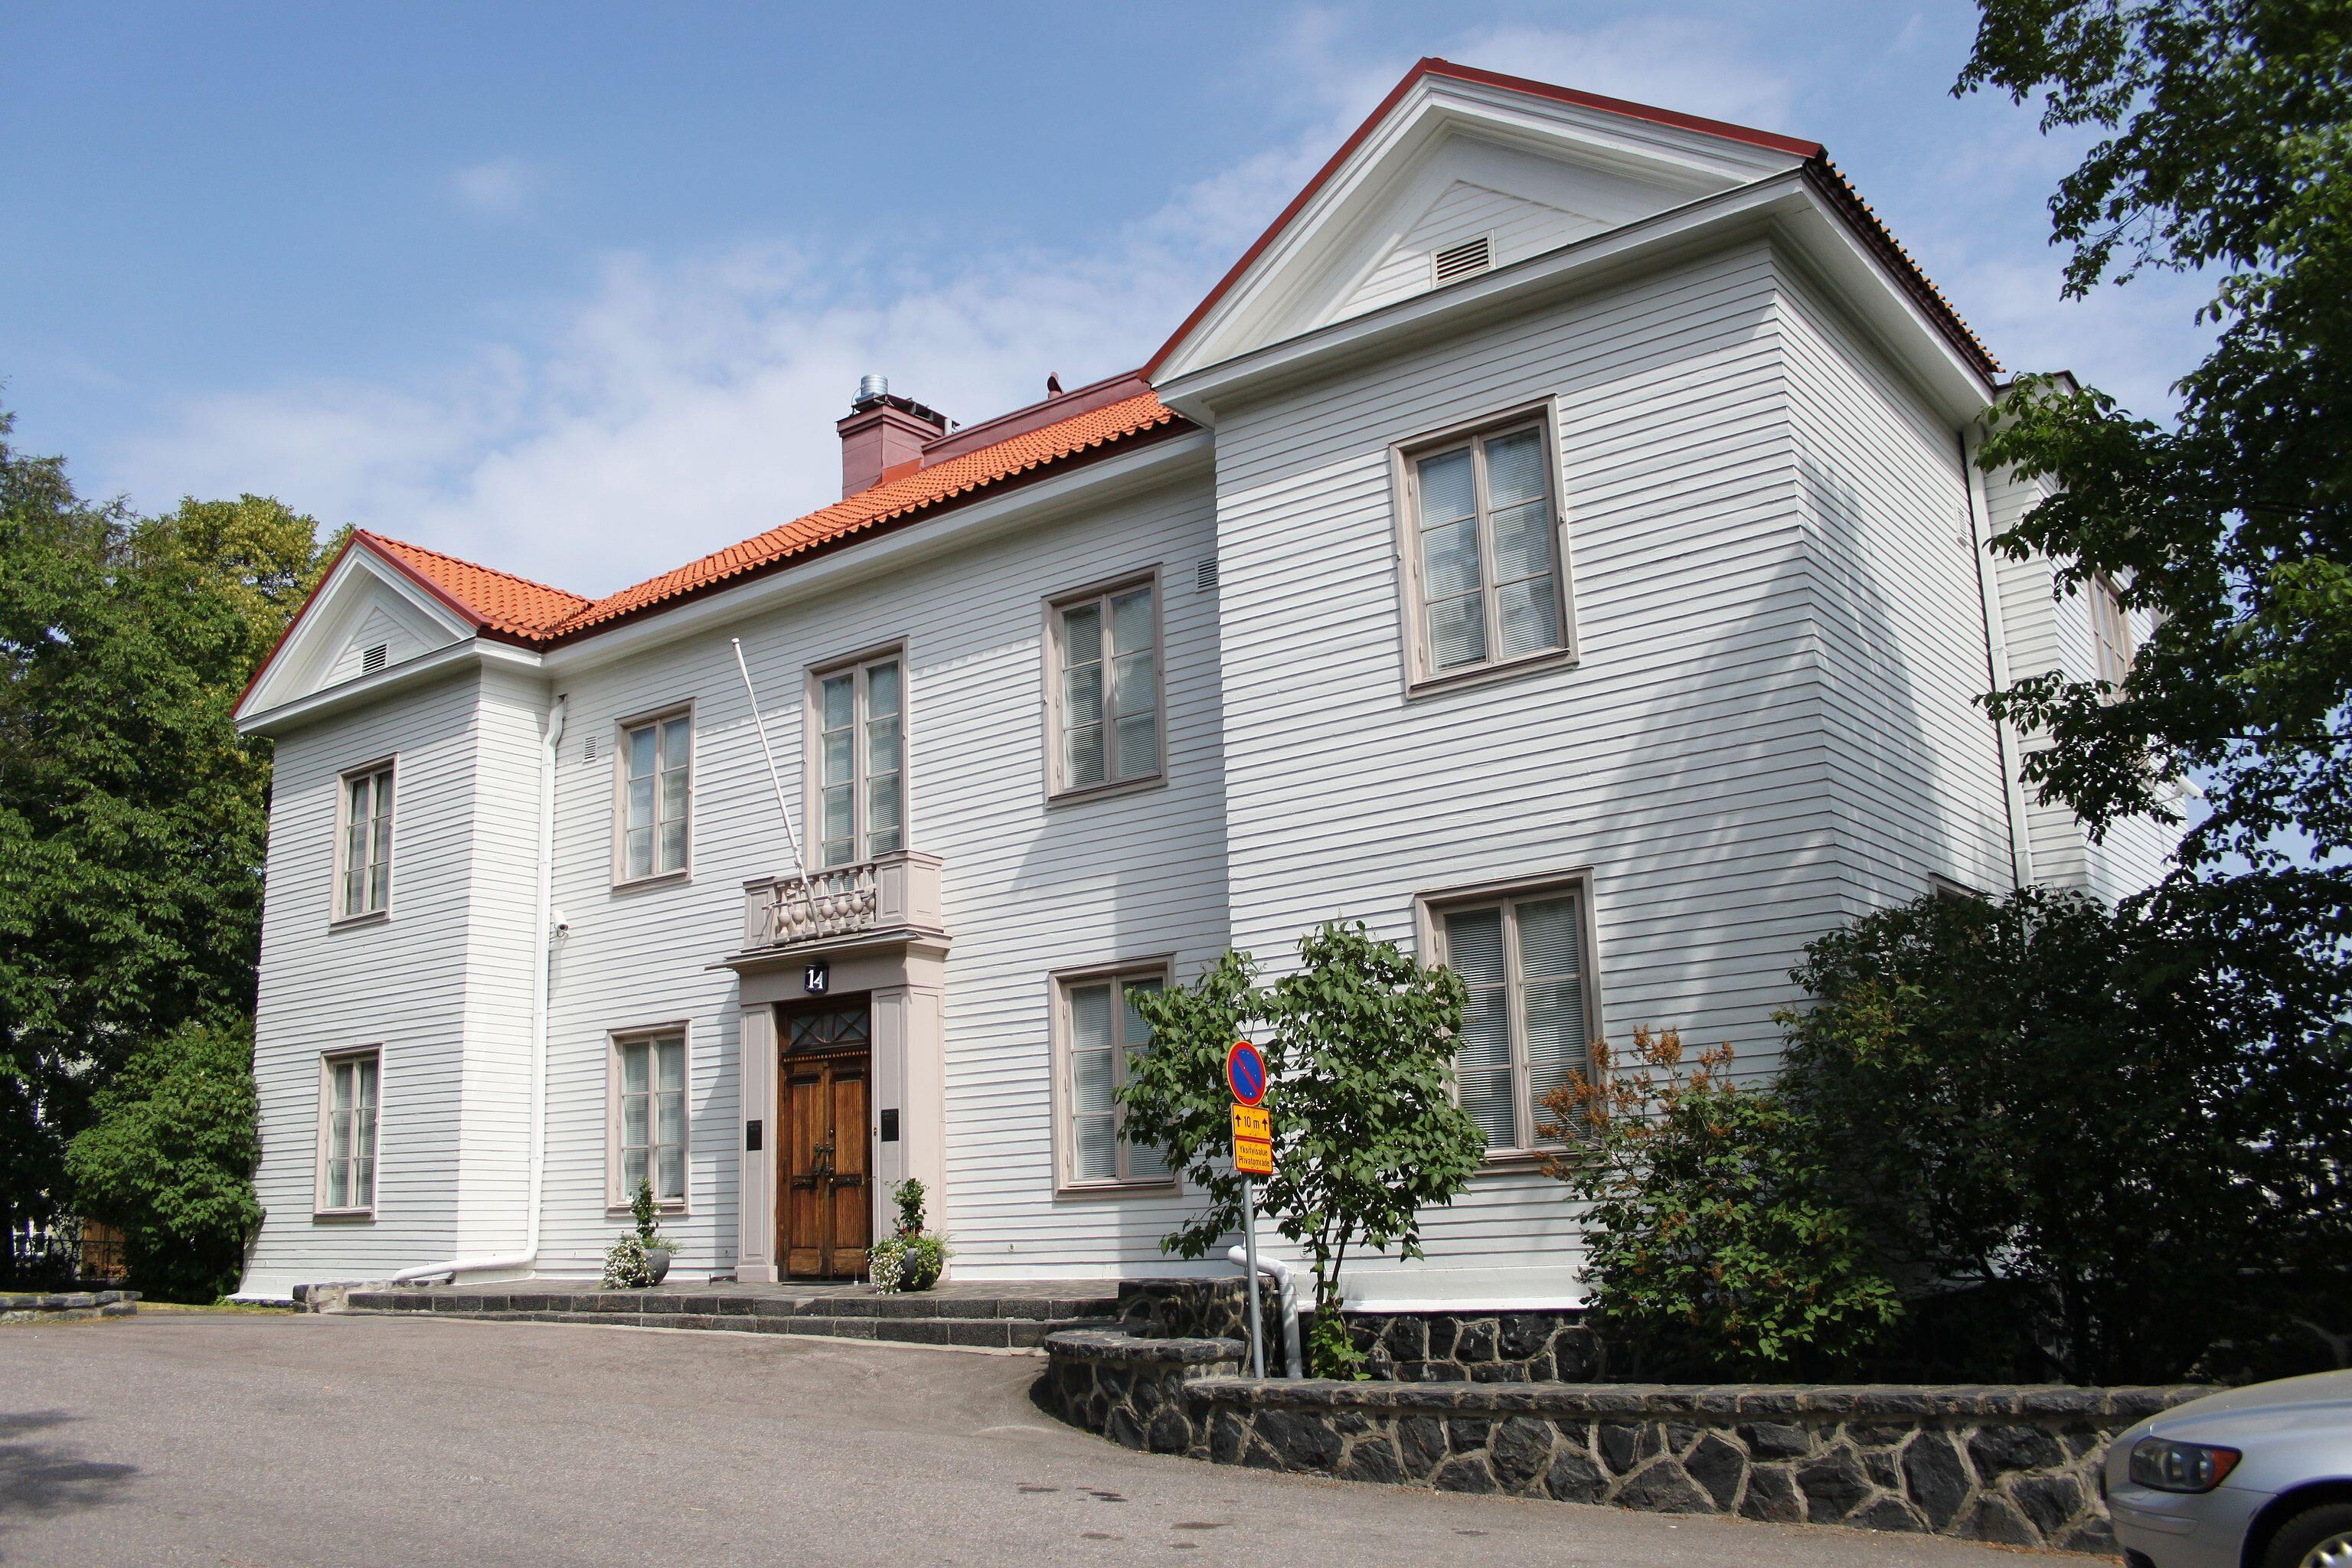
point(171, 1155)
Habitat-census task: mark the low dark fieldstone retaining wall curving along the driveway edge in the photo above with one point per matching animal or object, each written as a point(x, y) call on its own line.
point(2010, 1466)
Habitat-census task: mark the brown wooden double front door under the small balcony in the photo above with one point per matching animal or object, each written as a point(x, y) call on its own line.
point(824, 1165)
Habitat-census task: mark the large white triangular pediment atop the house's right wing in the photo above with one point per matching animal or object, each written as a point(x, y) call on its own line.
point(1457, 156)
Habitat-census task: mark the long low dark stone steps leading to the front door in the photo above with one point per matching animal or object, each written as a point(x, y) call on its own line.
point(975, 1320)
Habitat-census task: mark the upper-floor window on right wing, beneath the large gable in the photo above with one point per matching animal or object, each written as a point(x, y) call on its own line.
point(1483, 551)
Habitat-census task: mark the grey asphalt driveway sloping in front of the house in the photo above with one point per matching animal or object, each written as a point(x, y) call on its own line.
point(354, 1440)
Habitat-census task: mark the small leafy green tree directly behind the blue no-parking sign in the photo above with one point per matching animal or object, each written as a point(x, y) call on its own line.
point(1358, 1083)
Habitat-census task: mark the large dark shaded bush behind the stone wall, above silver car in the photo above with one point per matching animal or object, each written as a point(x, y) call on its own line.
point(2109, 1120)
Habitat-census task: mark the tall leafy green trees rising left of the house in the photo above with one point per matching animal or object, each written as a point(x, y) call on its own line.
point(133, 817)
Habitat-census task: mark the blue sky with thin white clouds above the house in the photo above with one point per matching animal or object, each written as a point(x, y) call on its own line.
point(580, 290)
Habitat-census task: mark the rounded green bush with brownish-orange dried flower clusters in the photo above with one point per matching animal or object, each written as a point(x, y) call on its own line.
point(1716, 1238)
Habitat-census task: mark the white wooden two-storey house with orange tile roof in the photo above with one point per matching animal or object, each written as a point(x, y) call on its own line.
point(1553, 544)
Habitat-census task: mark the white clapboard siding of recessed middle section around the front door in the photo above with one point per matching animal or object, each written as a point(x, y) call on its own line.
point(1029, 890)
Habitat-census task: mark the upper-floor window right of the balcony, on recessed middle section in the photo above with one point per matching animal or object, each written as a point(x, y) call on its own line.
point(1104, 688)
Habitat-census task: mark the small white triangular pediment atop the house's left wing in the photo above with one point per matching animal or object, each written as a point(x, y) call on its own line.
point(363, 622)
